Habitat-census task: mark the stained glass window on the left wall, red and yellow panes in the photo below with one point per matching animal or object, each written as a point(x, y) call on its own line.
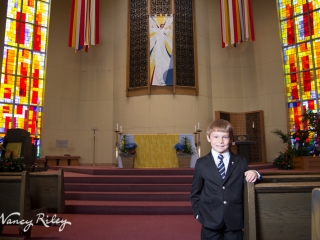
point(23, 66)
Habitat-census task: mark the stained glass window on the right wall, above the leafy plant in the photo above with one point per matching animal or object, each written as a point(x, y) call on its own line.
point(300, 34)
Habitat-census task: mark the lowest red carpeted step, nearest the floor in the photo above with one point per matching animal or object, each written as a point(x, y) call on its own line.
point(131, 207)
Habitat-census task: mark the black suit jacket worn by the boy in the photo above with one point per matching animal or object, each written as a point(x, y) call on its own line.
point(216, 201)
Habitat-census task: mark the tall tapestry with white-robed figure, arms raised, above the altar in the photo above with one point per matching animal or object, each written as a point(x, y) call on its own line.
point(161, 59)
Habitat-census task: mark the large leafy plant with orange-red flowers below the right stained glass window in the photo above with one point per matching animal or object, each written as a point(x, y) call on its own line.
point(302, 144)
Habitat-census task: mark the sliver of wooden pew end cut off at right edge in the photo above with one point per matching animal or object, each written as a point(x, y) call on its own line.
point(315, 233)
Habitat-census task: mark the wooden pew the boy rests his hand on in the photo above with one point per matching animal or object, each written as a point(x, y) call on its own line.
point(278, 210)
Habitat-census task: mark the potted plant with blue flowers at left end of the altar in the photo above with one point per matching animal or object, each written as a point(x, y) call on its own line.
point(127, 152)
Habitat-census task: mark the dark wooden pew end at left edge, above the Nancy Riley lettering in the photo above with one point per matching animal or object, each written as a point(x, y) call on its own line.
point(15, 198)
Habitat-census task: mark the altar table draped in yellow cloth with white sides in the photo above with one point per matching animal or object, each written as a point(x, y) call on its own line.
point(157, 150)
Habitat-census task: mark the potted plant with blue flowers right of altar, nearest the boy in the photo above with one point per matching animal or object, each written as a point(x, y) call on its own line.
point(184, 151)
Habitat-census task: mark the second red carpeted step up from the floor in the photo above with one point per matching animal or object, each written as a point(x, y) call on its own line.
point(128, 196)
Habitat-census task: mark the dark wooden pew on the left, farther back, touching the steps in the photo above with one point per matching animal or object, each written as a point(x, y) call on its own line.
point(46, 190)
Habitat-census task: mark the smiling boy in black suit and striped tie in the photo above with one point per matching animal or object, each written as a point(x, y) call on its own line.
point(216, 194)
